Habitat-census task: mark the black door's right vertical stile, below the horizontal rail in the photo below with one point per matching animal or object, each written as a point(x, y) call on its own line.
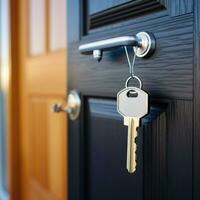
point(179, 144)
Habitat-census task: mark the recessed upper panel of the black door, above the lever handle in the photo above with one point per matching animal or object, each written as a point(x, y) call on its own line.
point(132, 9)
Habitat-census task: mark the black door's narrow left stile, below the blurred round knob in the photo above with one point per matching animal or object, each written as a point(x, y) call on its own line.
point(76, 159)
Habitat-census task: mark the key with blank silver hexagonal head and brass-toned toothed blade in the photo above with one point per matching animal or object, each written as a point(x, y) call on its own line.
point(132, 104)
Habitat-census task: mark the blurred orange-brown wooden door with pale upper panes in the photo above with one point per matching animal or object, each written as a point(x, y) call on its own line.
point(41, 32)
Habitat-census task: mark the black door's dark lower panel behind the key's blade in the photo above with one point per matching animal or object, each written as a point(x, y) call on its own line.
point(105, 161)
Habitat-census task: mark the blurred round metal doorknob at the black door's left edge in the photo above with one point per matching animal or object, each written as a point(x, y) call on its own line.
point(72, 106)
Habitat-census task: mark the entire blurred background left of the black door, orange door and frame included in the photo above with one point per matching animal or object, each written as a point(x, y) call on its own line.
point(33, 141)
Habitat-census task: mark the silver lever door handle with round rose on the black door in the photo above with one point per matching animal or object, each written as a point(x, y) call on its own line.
point(144, 45)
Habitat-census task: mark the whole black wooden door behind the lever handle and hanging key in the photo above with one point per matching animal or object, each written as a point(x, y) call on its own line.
point(168, 139)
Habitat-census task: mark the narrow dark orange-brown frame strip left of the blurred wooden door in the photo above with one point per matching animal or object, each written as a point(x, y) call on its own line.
point(14, 104)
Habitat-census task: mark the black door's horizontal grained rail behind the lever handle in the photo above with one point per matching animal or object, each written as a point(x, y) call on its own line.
point(170, 66)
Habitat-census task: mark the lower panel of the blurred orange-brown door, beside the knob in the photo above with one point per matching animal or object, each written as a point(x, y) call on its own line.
point(47, 149)
